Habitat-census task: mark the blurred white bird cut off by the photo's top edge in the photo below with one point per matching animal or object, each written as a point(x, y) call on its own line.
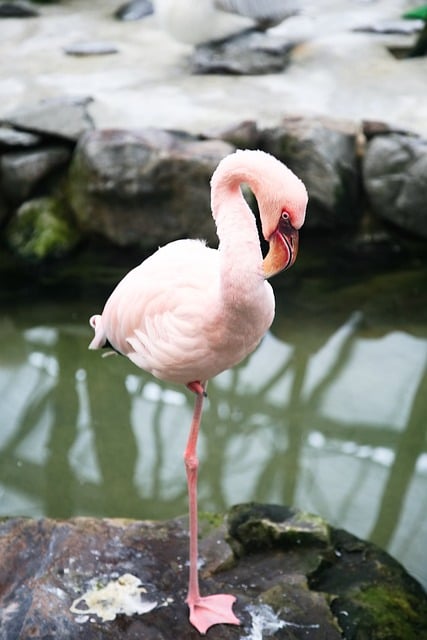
point(209, 20)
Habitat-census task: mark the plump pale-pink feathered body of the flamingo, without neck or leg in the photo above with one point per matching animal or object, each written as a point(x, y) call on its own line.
point(169, 317)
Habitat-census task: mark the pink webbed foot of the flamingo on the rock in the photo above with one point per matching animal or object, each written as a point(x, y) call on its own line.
point(210, 610)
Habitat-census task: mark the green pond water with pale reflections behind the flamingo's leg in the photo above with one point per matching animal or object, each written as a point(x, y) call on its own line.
point(328, 415)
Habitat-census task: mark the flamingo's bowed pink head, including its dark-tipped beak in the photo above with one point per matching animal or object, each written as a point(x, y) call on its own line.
point(282, 215)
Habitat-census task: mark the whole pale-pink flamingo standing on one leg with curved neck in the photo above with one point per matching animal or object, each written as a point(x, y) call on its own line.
point(189, 312)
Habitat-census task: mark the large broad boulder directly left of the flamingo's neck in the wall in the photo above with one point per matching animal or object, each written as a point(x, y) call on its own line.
point(144, 188)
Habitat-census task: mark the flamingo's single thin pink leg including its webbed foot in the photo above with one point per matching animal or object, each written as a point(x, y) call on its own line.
point(215, 609)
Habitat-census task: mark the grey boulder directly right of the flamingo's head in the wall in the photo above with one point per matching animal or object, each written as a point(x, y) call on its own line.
point(323, 153)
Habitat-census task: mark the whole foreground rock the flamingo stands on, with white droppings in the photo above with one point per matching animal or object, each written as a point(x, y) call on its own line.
point(293, 576)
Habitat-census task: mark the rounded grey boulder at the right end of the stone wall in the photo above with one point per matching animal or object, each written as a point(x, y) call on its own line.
point(394, 171)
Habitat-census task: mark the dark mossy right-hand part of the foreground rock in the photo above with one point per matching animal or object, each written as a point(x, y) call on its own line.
point(369, 594)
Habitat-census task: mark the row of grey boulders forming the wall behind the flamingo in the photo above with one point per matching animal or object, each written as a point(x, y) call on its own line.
point(63, 182)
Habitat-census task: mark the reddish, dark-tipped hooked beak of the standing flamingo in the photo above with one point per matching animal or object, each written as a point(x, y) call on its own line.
point(283, 248)
